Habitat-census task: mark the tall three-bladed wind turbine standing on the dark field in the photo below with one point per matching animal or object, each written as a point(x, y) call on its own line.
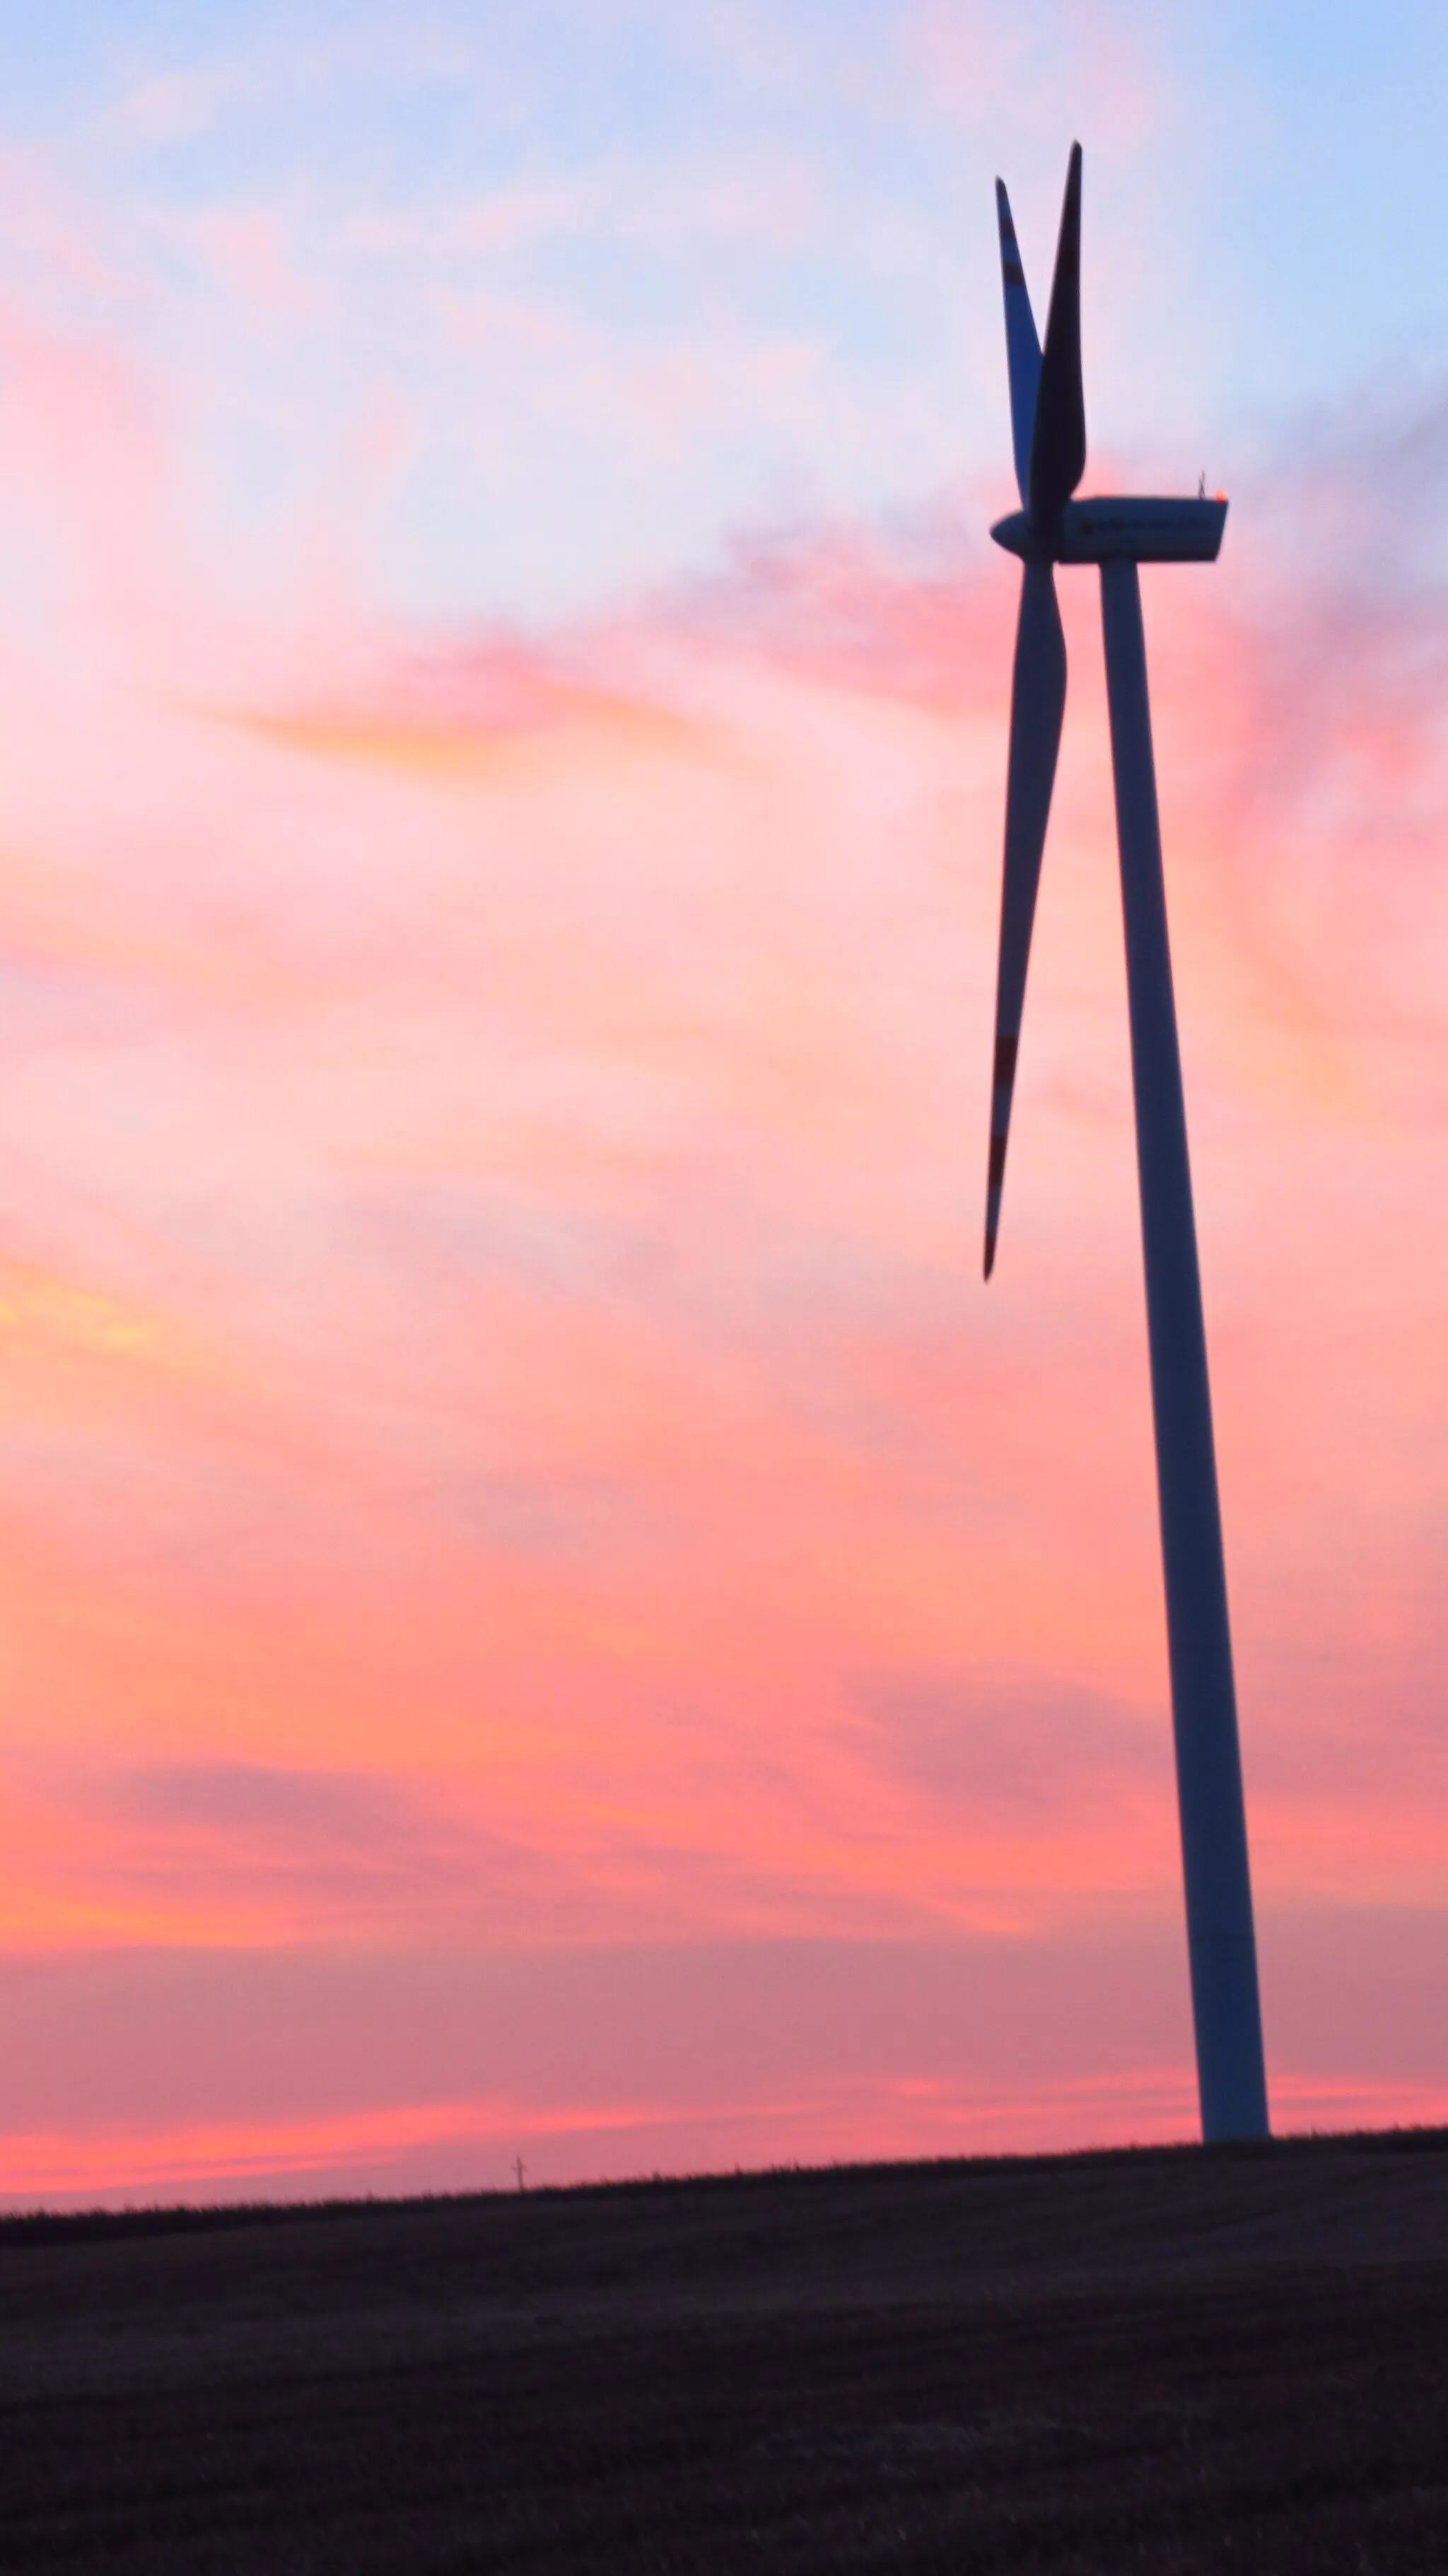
point(1047, 421)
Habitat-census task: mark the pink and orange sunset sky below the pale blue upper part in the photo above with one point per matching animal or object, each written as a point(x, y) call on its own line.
point(542, 1606)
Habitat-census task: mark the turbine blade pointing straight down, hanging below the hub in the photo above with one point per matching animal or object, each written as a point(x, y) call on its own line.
point(1037, 707)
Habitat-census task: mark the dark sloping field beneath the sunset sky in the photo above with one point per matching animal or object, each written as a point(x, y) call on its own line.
point(1145, 2361)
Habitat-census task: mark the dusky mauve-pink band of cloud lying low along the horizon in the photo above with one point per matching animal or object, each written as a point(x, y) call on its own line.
point(197, 2075)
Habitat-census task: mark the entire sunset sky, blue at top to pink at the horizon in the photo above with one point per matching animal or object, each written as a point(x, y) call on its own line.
point(545, 1609)
